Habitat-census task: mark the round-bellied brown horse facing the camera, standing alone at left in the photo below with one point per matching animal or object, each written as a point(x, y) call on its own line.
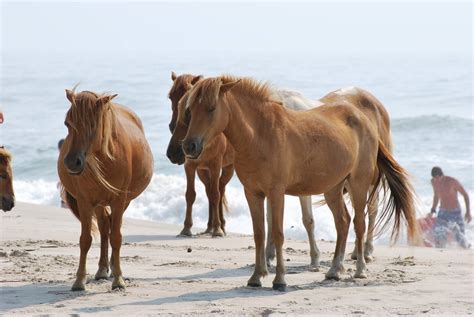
point(104, 163)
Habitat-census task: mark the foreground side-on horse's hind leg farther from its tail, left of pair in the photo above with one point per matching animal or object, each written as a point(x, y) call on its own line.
point(335, 201)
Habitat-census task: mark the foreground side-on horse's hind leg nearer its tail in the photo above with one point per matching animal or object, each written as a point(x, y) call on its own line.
point(359, 197)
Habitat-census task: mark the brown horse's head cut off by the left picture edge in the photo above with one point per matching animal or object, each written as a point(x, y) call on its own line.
point(7, 196)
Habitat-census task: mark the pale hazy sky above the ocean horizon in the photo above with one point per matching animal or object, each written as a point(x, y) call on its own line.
point(246, 26)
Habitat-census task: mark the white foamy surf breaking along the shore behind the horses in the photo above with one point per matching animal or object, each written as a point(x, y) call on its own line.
point(164, 201)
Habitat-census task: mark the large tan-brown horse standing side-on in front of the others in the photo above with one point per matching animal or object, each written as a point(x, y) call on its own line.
point(280, 151)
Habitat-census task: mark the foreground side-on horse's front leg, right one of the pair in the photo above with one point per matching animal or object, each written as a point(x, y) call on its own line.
point(277, 203)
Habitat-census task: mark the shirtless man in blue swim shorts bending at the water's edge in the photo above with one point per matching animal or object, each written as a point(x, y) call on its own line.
point(446, 190)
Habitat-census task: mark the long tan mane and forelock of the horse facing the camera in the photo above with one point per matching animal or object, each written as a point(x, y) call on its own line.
point(90, 118)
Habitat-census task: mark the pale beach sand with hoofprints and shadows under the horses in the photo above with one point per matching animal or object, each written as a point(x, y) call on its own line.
point(39, 255)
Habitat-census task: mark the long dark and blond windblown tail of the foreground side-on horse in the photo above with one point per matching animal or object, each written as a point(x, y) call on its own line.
point(401, 200)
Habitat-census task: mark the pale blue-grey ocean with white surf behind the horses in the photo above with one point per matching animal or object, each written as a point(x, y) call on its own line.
point(429, 98)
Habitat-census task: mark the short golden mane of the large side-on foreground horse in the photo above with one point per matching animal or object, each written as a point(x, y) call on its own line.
point(207, 90)
